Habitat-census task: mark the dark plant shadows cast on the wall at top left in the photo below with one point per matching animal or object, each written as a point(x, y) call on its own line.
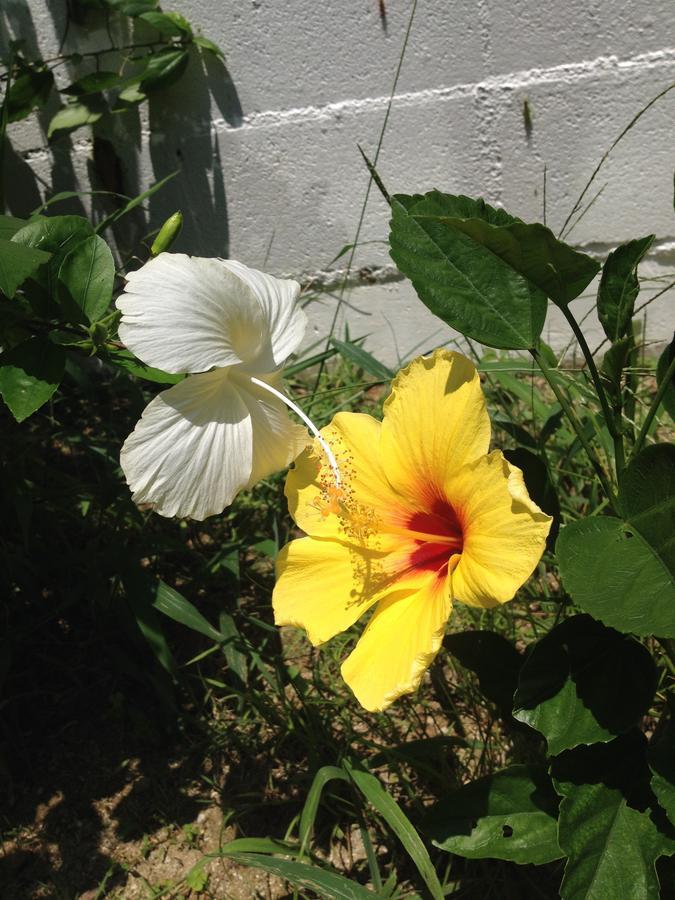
point(124, 153)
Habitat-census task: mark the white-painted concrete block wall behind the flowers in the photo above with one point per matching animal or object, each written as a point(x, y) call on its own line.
point(271, 173)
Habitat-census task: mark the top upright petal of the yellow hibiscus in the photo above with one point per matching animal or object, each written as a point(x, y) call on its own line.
point(435, 421)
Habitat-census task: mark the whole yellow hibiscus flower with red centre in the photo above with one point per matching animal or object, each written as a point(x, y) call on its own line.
point(422, 515)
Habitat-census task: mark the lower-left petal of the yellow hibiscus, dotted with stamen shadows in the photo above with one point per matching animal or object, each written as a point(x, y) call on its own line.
point(324, 586)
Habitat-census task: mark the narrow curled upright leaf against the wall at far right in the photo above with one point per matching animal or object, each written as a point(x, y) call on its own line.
point(619, 287)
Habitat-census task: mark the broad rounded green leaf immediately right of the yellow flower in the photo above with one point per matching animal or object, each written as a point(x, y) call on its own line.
point(612, 573)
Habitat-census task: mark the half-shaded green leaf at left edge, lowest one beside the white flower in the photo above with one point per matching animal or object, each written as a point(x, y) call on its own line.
point(29, 375)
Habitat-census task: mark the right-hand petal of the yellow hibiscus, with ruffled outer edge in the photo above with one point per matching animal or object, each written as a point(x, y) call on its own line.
point(504, 531)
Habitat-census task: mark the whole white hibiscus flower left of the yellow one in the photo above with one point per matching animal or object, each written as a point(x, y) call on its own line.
point(225, 427)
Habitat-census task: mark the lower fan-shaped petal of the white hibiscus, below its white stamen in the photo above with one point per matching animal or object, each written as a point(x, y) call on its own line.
point(199, 443)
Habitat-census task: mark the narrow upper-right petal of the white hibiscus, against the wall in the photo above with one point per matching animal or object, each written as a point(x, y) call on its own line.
point(286, 322)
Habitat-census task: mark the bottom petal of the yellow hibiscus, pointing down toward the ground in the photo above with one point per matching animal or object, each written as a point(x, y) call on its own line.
point(399, 643)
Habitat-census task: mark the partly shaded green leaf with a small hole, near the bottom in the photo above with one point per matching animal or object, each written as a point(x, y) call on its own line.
point(509, 815)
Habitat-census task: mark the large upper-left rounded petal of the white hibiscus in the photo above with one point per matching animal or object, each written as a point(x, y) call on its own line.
point(188, 314)
